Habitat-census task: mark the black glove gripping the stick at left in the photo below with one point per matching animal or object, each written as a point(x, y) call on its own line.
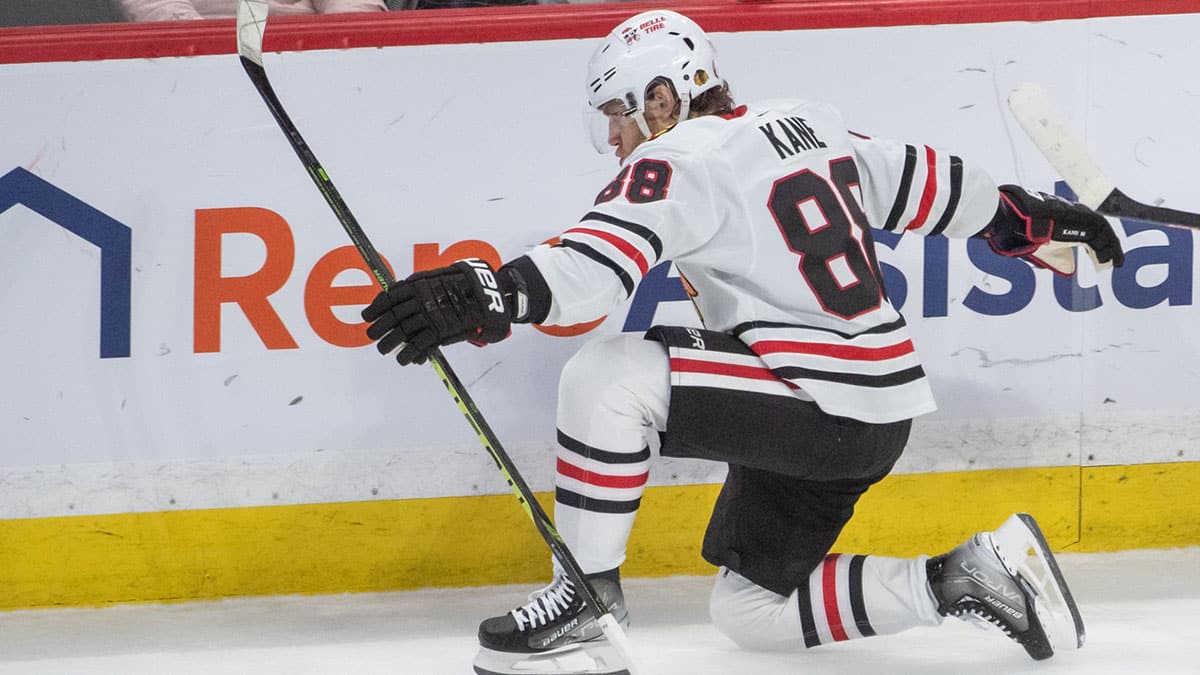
point(439, 308)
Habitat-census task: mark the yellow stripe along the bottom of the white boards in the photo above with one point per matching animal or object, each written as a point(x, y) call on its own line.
point(93, 560)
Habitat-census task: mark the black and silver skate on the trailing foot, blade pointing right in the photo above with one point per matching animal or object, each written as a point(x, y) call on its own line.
point(1010, 580)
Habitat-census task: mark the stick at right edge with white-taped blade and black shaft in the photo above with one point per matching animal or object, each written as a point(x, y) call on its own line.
point(1066, 153)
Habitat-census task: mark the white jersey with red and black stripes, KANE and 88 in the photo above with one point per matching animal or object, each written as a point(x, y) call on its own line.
point(766, 214)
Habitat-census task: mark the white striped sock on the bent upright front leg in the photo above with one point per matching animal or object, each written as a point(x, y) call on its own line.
point(613, 396)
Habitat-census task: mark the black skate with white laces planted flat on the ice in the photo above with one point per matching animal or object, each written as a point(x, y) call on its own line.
point(555, 634)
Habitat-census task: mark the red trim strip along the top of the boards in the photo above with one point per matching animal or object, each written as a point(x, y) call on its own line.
point(523, 25)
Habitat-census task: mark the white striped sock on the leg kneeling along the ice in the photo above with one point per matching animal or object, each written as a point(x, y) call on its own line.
point(847, 598)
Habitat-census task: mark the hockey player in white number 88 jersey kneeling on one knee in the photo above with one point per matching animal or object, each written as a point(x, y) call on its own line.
point(803, 381)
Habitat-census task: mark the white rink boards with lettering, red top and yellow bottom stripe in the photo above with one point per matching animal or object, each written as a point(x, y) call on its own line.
point(160, 441)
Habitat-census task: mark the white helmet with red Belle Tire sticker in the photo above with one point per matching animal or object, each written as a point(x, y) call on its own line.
point(652, 46)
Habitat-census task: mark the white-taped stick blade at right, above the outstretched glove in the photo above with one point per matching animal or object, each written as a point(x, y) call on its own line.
point(1067, 154)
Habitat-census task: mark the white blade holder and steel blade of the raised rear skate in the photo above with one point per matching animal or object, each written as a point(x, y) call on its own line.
point(1024, 551)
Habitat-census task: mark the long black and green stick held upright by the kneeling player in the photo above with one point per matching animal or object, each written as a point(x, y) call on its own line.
point(251, 27)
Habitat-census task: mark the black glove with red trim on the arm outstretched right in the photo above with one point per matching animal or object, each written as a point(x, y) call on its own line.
point(1043, 230)
